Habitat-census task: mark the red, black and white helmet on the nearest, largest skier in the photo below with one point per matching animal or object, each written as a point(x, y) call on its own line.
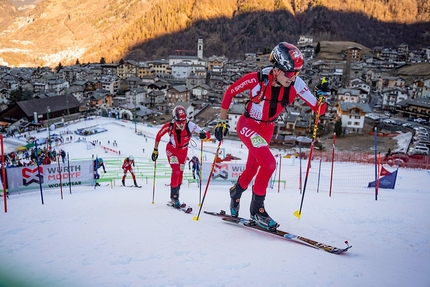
point(286, 57)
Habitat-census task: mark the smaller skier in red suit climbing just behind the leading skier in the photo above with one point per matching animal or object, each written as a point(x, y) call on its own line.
point(179, 130)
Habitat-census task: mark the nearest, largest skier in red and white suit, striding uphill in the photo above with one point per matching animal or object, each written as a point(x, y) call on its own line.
point(271, 90)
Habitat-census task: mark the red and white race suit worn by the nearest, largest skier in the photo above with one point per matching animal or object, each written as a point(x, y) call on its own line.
point(256, 125)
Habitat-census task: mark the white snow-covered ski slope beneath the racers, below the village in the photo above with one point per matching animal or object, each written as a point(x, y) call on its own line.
point(119, 236)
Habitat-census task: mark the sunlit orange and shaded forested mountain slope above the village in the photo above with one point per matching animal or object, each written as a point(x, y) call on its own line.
point(65, 30)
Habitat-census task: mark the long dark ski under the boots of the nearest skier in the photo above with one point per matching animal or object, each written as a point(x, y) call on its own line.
point(249, 223)
